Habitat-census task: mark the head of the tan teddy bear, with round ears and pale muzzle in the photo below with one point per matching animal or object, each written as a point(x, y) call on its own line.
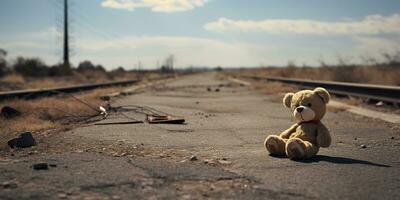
point(307, 105)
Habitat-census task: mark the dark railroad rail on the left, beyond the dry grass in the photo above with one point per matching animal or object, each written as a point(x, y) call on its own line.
point(36, 93)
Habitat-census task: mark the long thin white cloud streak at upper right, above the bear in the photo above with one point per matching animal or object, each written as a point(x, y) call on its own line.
point(370, 25)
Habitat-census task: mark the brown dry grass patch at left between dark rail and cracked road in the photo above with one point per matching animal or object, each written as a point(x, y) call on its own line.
point(50, 113)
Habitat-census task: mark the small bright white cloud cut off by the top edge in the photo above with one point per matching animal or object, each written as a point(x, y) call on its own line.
point(166, 6)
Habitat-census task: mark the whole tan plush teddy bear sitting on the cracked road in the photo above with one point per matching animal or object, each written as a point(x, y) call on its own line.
point(303, 139)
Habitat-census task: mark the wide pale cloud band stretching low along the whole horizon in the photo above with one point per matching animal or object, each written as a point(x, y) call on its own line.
point(197, 51)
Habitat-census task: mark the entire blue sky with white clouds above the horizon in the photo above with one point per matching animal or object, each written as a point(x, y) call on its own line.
point(227, 33)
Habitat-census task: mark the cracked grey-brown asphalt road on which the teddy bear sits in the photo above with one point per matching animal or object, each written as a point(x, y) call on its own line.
point(225, 130)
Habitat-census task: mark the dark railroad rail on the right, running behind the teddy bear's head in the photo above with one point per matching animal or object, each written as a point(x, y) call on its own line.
point(390, 94)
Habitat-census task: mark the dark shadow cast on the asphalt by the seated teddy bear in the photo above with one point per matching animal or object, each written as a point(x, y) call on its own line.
point(341, 160)
